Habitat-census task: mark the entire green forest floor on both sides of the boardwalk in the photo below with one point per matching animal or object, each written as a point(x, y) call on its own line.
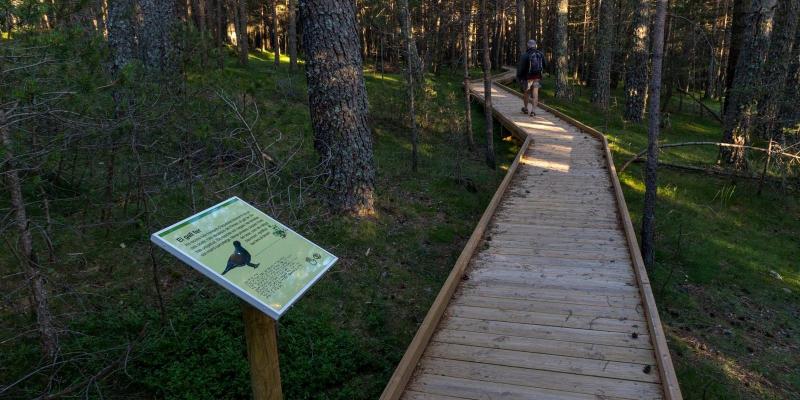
point(727, 280)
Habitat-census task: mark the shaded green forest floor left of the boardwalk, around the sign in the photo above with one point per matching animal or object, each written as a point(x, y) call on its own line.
point(345, 337)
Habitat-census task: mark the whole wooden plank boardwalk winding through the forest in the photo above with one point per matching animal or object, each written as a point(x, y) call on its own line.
point(549, 299)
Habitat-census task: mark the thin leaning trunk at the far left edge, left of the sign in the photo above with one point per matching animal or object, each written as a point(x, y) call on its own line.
point(30, 265)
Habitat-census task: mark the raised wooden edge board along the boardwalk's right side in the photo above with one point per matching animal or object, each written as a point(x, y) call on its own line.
point(666, 369)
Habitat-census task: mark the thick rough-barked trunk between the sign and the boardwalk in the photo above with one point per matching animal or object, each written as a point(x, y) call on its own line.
point(338, 103)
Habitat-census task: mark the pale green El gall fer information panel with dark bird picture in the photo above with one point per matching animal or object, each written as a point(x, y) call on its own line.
point(254, 256)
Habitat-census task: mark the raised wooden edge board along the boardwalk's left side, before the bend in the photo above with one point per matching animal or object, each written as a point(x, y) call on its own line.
point(405, 368)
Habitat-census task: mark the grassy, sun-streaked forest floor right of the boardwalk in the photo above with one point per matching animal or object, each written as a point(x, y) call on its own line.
point(727, 275)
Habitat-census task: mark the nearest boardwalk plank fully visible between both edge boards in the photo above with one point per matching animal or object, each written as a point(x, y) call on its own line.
point(567, 382)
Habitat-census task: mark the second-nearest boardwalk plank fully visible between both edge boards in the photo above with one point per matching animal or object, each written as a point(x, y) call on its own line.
point(547, 362)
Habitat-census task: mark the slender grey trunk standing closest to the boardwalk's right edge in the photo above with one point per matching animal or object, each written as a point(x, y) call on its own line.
point(651, 166)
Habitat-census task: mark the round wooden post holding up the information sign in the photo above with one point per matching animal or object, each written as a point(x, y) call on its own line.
point(262, 351)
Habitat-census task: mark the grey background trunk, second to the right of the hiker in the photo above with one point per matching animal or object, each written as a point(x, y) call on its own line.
point(601, 70)
